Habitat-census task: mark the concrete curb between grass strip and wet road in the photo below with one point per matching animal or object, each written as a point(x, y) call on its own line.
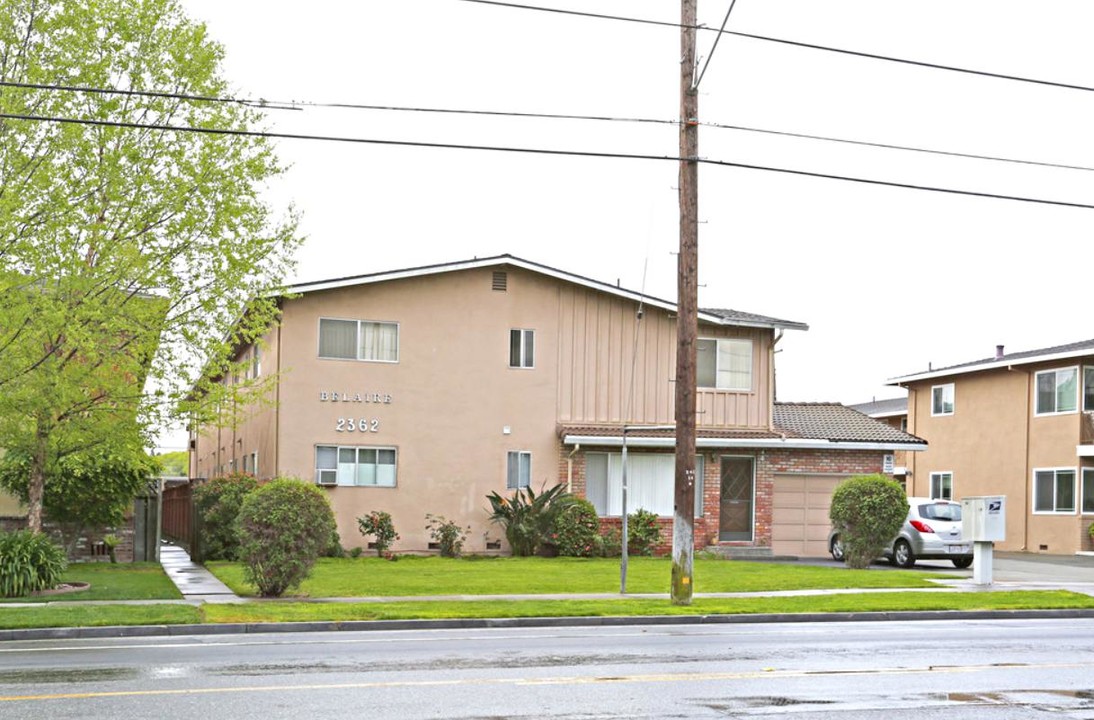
point(456, 624)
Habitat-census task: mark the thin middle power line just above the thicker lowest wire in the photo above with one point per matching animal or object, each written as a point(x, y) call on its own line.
point(558, 117)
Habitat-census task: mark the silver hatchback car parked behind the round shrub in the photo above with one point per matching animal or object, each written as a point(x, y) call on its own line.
point(932, 532)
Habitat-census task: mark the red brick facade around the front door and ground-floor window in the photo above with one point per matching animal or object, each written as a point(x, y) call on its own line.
point(767, 464)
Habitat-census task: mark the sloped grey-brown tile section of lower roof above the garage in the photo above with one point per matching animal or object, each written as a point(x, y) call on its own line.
point(836, 423)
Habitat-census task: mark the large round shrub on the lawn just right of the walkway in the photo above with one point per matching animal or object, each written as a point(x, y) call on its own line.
point(285, 527)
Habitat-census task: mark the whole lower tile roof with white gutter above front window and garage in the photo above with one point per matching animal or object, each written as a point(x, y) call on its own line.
point(812, 426)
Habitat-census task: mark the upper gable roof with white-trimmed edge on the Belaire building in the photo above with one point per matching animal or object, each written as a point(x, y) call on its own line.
point(715, 317)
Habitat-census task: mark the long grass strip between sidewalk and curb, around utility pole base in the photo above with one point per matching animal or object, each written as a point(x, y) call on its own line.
point(288, 612)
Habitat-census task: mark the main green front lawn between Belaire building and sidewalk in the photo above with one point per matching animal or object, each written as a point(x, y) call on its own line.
point(434, 576)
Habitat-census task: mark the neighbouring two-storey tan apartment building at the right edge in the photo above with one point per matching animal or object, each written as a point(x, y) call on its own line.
point(1019, 425)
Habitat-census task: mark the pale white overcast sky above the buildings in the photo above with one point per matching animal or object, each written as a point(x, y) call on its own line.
point(891, 281)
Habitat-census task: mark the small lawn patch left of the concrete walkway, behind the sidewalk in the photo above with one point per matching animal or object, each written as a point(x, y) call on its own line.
point(123, 582)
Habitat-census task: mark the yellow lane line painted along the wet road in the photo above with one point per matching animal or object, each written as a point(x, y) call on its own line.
point(665, 678)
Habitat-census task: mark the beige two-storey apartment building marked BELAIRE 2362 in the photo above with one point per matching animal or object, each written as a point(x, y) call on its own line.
point(423, 390)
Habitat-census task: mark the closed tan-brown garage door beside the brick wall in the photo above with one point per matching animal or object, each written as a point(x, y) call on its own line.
point(800, 514)
